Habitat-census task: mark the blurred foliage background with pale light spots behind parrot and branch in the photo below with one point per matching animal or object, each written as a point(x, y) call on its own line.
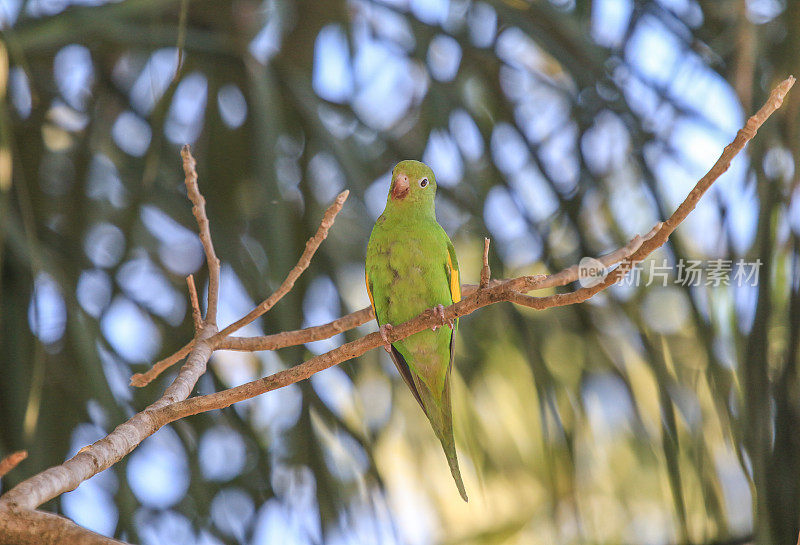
point(648, 415)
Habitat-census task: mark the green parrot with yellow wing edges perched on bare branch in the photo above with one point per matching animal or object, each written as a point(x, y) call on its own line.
point(411, 266)
